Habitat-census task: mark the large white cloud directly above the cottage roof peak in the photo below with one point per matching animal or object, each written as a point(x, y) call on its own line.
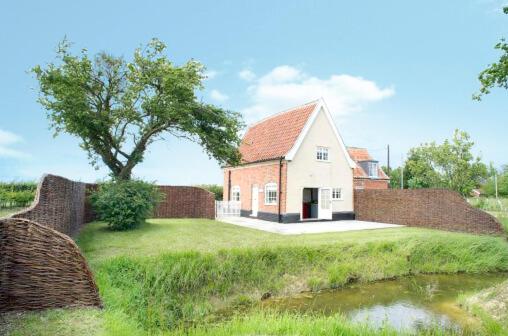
point(286, 86)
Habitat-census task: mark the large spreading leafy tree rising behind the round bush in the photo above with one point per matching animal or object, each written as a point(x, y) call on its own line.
point(118, 108)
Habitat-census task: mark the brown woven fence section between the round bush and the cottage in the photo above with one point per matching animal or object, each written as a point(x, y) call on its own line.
point(185, 202)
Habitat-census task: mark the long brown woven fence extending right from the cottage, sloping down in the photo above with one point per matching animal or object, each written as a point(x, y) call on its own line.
point(430, 208)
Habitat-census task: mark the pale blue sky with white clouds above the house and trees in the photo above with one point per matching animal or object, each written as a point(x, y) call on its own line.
point(392, 72)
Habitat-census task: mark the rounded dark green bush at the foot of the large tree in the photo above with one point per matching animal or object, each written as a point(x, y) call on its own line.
point(125, 205)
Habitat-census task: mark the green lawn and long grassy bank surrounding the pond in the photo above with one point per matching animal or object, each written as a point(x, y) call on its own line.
point(174, 276)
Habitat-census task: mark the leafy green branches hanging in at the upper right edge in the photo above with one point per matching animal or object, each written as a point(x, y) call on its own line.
point(496, 74)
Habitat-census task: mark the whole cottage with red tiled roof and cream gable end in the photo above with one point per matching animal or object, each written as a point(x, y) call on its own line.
point(295, 167)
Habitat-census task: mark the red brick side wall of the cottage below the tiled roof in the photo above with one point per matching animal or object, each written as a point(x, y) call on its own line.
point(260, 174)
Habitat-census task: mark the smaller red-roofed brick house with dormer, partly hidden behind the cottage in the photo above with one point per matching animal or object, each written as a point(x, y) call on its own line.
point(367, 174)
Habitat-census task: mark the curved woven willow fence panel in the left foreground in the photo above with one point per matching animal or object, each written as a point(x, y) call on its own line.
point(42, 268)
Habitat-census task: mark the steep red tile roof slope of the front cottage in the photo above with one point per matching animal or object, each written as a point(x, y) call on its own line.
point(273, 137)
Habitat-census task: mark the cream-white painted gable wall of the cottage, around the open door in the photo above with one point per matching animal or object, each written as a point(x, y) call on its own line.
point(304, 171)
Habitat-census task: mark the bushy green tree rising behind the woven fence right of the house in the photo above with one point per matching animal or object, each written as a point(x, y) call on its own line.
point(450, 165)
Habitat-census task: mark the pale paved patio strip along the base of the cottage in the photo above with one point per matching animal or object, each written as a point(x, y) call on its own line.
point(303, 228)
